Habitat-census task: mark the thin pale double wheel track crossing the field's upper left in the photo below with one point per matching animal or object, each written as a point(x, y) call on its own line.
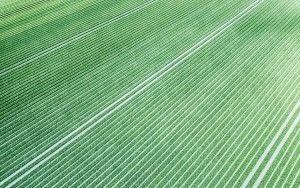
point(73, 39)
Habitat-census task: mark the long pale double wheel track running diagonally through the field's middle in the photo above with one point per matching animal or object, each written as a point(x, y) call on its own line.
point(140, 88)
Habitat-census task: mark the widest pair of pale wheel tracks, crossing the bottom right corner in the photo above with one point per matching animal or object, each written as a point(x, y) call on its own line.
point(271, 145)
